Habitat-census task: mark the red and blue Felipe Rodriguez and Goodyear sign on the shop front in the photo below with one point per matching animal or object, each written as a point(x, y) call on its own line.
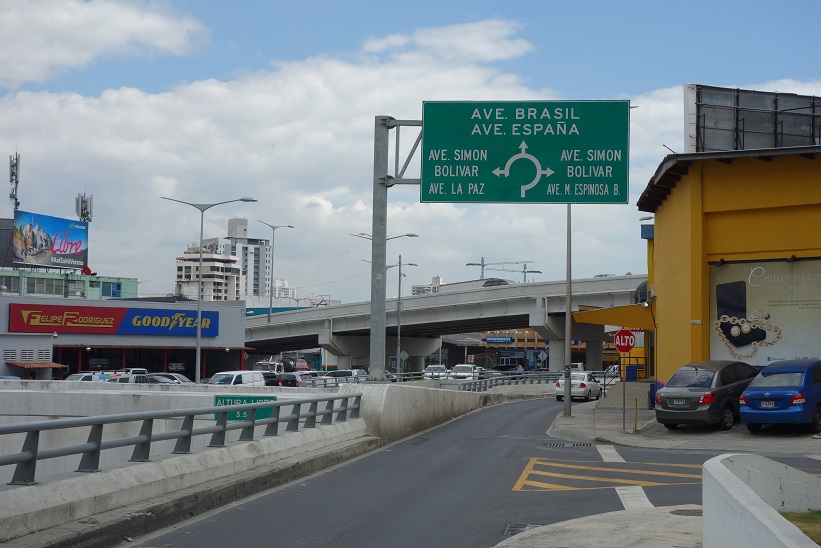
point(34, 318)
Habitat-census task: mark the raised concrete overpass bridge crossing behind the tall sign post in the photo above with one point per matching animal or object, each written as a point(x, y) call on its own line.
point(344, 330)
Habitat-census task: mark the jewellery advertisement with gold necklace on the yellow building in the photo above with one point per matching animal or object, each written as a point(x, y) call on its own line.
point(763, 312)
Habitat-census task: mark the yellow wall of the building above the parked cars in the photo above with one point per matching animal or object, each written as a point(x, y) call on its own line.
point(749, 209)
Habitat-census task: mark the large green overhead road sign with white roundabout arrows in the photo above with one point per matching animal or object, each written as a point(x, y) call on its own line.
point(525, 152)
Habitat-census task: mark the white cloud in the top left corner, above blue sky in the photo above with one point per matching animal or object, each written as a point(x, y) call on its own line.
point(44, 38)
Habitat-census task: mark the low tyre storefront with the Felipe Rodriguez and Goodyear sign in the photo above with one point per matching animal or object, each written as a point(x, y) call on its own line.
point(115, 334)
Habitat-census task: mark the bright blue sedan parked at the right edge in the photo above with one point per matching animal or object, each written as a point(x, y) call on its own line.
point(787, 392)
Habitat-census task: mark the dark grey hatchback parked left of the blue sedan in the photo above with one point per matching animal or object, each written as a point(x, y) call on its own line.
point(704, 392)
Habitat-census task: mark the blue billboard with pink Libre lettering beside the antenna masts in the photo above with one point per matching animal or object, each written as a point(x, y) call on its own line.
point(43, 240)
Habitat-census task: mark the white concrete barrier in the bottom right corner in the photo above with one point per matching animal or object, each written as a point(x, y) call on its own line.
point(742, 496)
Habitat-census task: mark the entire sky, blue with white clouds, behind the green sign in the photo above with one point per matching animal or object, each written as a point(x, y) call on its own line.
point(207, 101)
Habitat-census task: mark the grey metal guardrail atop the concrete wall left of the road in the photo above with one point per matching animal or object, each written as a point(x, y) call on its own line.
point(27, 458)
